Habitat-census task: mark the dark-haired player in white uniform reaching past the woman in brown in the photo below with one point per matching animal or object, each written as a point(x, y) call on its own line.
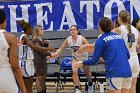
point(26, 55)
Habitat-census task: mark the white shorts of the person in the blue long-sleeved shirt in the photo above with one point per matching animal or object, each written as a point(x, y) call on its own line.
point(118, 83)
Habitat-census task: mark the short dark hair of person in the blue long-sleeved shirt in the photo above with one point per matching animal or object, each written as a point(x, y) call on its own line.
point(105, 24)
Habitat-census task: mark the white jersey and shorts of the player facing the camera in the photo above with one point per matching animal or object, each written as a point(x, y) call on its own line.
point(75, 46)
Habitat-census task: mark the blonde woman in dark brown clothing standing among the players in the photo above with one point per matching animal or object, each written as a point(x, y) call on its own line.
point(40, 60)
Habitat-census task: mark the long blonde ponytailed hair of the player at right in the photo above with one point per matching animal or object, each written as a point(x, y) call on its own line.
point(125, 16)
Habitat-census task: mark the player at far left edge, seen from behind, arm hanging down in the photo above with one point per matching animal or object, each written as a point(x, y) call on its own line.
point(9, 69)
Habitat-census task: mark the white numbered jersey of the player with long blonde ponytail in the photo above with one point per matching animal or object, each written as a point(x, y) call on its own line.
point(124, 34)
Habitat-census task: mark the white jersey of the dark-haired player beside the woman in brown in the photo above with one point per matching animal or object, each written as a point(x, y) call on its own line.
point(25, 52)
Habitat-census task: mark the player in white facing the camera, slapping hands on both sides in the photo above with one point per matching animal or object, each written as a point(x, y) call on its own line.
point(75, 41)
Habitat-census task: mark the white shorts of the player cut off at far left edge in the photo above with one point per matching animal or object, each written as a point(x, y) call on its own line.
point(7, 81)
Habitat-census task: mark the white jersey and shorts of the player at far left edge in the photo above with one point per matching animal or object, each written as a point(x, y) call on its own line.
point(7, 79)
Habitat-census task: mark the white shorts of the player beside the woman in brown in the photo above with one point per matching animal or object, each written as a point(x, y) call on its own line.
point(28, 67)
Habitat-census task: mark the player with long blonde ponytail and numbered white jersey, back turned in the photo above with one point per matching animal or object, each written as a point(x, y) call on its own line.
point(131, 38)
